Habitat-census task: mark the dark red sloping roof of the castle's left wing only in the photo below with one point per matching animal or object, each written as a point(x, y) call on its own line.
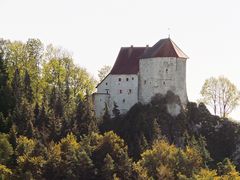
point(128, 60)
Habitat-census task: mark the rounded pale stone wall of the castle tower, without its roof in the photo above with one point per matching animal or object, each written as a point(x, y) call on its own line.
point(158, 75)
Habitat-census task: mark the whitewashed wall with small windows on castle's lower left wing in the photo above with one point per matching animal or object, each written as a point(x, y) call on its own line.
point(122, 89)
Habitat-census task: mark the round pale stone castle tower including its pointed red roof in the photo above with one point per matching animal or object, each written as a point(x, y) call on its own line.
point(162, 68)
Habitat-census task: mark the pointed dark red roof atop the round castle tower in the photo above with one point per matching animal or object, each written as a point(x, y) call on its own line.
point(164, 48)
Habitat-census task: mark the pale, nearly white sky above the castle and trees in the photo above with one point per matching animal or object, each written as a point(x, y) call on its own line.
point(208, 31)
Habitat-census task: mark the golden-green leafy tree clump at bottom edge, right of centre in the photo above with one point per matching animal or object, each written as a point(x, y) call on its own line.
point(165, 161)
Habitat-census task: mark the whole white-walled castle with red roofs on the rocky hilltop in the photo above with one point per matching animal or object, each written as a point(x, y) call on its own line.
point(139, 73)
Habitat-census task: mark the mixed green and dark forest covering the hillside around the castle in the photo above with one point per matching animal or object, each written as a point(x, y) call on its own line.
point(48, 129)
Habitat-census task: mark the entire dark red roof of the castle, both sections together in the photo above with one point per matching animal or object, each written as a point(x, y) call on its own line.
point(128, 58)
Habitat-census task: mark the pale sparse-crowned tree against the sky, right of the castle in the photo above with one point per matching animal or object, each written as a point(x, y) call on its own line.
point(221, 95)
